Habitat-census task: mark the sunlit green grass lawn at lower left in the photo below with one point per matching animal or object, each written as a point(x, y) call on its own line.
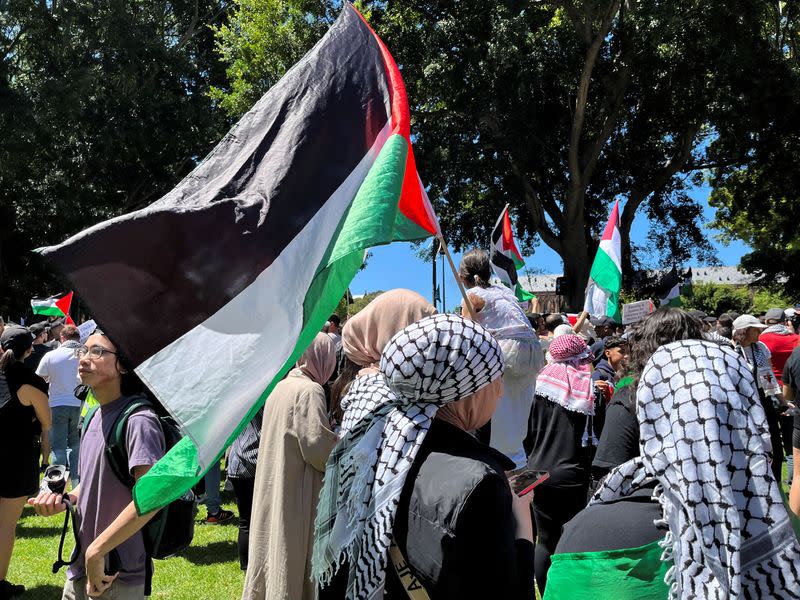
point(208, 570)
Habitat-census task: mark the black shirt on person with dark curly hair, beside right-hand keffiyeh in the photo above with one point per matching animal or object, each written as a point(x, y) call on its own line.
point(619, 441)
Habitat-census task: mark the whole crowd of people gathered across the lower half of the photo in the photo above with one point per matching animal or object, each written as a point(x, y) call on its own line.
point(384, 463)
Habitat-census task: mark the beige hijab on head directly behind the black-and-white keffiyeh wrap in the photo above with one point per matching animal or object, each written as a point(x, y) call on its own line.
point(365, 335)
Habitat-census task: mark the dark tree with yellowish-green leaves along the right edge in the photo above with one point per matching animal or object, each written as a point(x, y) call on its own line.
point(758, 199)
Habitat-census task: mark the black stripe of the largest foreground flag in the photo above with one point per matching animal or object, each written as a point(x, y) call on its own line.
point(152, 275)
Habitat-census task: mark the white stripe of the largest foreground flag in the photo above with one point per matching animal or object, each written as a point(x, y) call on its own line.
point(210, 377)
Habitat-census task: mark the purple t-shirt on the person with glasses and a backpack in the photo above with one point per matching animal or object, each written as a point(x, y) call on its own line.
point(102, 496)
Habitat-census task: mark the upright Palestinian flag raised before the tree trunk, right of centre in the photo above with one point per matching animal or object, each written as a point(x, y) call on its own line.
point(605, 278)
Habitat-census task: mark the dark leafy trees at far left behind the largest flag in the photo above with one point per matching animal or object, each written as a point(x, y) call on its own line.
point(104, 107)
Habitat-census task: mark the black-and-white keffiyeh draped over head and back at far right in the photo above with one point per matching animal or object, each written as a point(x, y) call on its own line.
point(704, 438)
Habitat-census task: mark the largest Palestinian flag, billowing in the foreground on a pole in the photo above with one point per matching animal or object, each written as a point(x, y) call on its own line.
point(216, 289)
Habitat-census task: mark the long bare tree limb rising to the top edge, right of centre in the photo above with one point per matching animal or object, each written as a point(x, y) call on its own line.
point(575, 206)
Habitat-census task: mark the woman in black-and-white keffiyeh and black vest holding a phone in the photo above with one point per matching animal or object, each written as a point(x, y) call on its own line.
point(409, 472)
